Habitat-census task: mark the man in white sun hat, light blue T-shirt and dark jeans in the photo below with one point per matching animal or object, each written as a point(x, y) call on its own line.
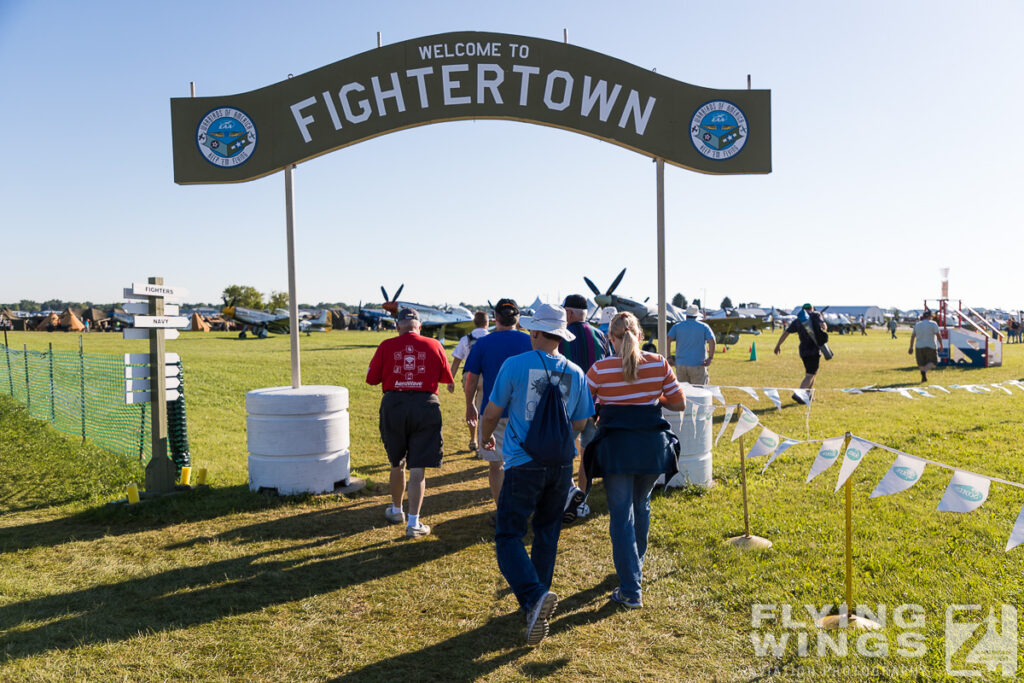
point(532, 488)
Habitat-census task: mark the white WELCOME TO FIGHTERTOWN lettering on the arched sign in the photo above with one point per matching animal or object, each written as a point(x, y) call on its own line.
point(448, 88)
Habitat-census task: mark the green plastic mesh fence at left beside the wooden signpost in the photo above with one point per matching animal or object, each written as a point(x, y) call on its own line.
point(84, 395)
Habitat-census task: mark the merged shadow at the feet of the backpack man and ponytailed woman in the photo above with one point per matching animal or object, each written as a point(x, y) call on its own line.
point(477, 654)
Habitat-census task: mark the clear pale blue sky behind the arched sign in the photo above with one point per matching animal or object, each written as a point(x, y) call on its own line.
point(895, 154)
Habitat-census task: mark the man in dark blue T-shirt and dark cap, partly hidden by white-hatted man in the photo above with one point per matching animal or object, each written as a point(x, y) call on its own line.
point(486, 360)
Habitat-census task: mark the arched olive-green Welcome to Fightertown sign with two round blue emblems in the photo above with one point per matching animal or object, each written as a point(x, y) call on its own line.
point(470, 75)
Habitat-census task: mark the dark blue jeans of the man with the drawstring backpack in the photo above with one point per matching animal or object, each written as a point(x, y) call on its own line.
point(541, 491)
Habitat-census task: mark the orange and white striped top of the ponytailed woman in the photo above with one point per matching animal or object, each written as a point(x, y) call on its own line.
point(655, 378)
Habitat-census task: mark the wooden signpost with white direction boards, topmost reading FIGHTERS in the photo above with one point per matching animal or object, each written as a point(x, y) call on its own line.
point(142, 387)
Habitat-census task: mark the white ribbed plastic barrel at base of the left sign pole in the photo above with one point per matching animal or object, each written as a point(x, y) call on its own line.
point(298, 439)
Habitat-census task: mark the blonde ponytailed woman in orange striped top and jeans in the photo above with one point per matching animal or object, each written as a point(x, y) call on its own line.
point(634, 445)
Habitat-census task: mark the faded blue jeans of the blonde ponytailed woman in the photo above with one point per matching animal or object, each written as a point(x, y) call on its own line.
point(629, 510)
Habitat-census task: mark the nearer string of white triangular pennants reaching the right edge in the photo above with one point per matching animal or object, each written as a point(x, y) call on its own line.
point(967, 491)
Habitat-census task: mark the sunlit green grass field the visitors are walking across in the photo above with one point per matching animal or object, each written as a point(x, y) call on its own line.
point(225, 584)
